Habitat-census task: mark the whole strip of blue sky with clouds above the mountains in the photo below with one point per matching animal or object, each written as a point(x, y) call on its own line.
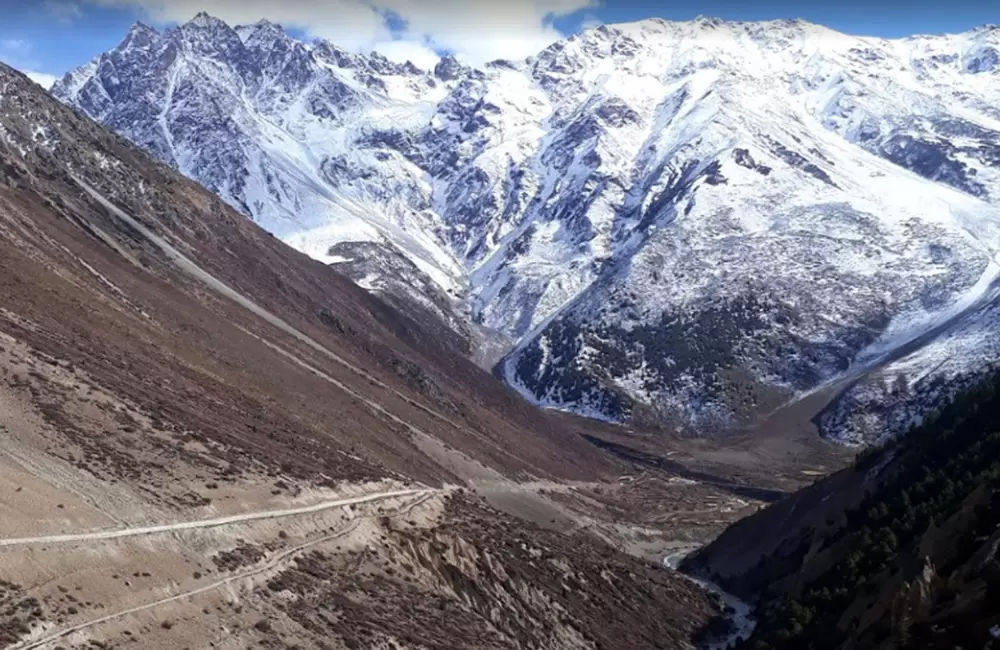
point(53, 36)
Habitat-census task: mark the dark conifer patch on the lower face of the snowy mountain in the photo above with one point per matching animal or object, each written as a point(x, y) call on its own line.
point(711, 348)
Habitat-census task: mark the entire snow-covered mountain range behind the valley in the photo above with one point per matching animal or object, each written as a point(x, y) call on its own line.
point(684, 222)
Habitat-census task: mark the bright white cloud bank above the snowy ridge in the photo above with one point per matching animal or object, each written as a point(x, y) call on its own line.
point(476, 30)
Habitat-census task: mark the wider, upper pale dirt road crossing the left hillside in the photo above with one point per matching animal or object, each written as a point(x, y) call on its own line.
point(208, 523)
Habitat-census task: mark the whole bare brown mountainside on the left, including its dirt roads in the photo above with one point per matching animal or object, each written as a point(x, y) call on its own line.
point(210, 440)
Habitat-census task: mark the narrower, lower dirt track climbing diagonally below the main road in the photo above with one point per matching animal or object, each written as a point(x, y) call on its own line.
point(271, 564)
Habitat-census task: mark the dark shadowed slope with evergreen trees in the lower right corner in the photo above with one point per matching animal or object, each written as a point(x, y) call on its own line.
point(899, 551)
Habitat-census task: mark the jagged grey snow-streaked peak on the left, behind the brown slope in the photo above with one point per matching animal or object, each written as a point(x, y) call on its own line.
point(267, 123)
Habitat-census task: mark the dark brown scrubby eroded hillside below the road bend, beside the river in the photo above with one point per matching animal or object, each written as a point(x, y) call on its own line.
point(460, 572)
